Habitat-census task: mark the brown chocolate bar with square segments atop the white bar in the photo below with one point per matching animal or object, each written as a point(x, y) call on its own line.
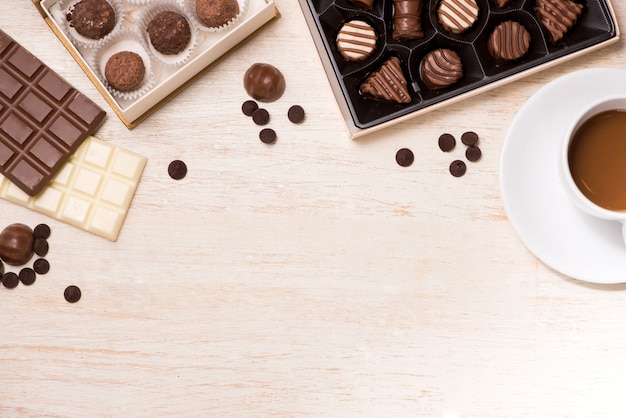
point(43, 119)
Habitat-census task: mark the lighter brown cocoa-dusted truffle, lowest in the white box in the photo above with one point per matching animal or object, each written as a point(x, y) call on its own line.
point(125, 71)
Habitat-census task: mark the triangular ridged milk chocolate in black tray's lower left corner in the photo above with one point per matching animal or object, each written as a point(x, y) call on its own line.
point(387, 83)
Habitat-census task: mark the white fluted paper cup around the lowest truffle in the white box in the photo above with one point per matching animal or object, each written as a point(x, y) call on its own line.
point(125, 40)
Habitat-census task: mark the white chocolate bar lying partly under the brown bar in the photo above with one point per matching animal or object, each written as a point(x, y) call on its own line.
point(92, 191)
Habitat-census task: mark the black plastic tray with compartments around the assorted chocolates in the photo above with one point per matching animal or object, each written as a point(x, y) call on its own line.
point(595, 26)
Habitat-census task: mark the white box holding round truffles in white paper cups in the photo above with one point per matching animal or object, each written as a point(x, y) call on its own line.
point(139, 53)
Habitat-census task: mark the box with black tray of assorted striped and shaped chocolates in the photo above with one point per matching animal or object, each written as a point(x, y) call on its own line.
point(389, 60)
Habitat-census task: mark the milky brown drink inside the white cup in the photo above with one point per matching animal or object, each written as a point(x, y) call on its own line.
point(597, 159)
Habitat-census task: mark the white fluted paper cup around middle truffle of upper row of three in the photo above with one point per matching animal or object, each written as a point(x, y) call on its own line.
point(174, 6)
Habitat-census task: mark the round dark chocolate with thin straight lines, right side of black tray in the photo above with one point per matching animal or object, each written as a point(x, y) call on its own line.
point(509, 41)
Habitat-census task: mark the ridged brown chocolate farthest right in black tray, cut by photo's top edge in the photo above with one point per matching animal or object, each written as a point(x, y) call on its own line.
point(558, 17)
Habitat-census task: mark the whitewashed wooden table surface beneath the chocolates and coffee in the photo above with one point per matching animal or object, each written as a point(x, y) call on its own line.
point(313, 277)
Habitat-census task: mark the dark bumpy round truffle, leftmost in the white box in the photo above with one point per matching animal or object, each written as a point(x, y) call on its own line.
point(92, 19)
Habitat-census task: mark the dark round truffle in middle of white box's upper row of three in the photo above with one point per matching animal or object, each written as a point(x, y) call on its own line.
point(169, 32)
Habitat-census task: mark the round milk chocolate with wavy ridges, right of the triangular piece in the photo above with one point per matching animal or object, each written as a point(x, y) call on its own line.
point(441, 68)
